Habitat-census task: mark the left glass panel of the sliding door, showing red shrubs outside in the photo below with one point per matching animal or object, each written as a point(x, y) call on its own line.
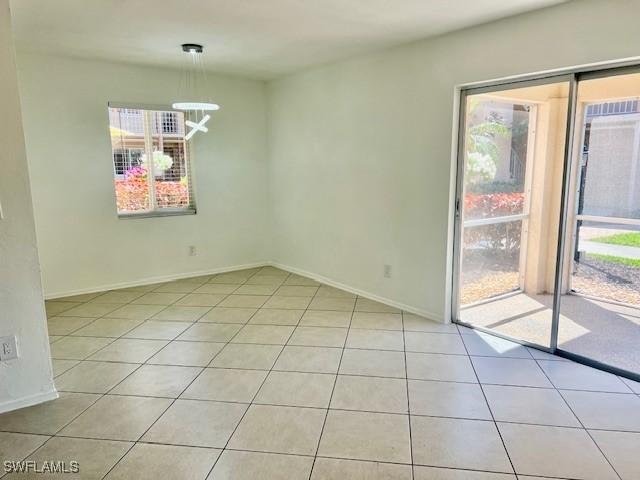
point(513, 155)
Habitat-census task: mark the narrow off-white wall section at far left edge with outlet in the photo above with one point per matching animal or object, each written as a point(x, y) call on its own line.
point(28, 379)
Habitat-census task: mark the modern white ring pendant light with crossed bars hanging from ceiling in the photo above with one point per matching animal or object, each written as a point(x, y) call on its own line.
point(193, 87)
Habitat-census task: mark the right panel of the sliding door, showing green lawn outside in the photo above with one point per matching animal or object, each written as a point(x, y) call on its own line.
point(600, 309)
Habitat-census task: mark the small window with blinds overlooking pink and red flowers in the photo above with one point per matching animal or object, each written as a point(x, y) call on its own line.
point(151, 169)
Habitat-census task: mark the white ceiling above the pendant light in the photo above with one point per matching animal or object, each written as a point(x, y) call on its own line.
point(255, 38)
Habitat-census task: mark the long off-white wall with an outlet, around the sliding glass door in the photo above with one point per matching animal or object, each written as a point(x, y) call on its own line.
point(360, 151)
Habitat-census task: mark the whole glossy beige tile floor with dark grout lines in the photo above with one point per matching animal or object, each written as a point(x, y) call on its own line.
point(264, 374)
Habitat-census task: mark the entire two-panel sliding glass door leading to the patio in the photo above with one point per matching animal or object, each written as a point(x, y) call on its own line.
point(547, 231)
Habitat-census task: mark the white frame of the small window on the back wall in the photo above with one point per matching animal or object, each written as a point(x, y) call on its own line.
point(154, 211)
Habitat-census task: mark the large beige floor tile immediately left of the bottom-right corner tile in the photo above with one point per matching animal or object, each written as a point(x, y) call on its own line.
point(554, 452)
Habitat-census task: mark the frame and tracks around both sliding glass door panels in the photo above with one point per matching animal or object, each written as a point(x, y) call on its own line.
point(573, 77)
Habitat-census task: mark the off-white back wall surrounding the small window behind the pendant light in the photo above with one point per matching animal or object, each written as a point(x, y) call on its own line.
point(83, 245)
